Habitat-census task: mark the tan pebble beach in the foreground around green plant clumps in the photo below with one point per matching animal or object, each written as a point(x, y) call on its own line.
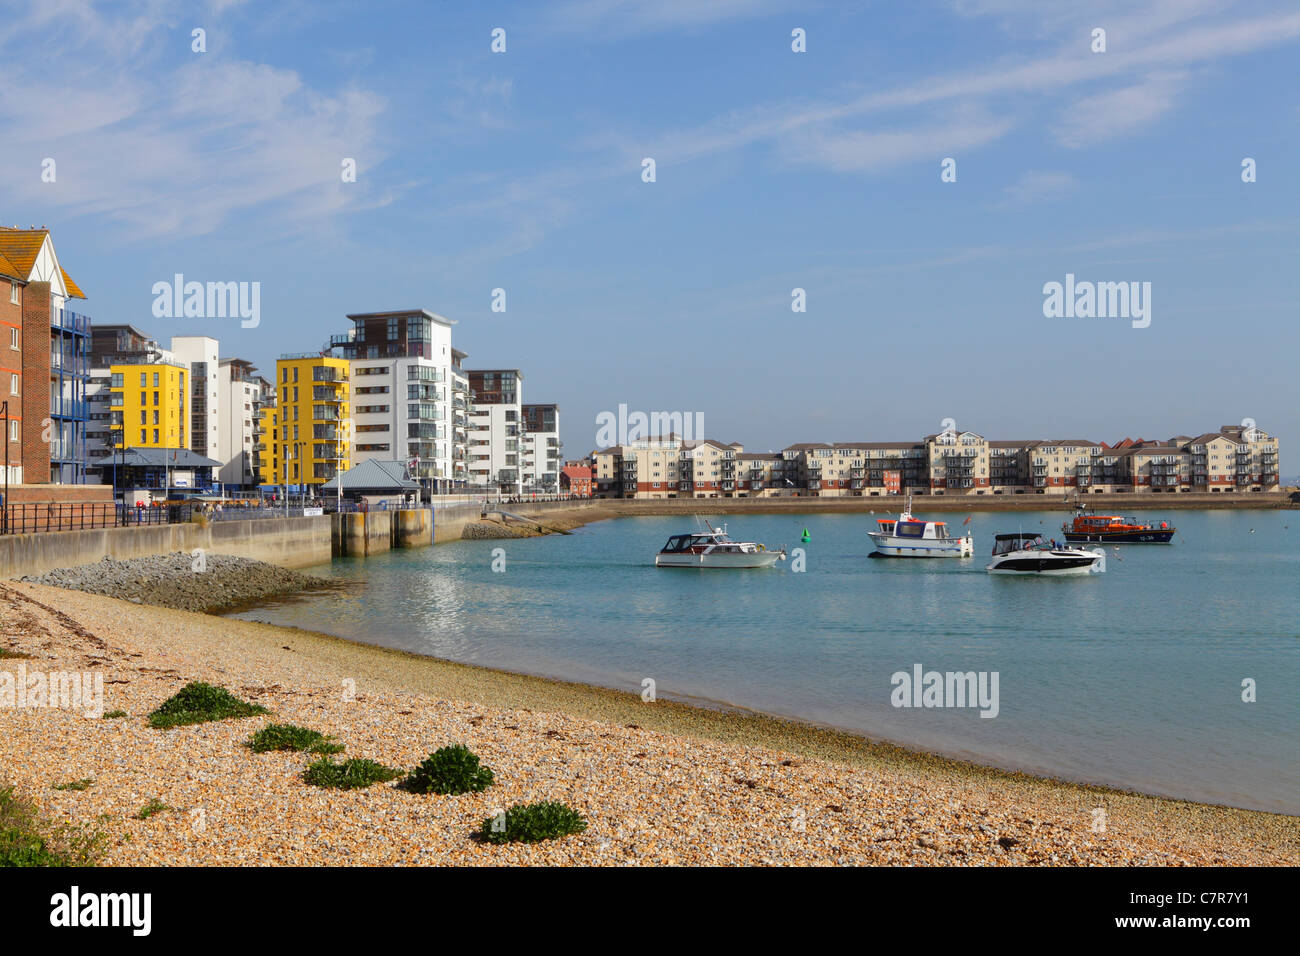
point(660, 784)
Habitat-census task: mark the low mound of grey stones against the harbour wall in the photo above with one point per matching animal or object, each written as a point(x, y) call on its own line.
point(184, 582)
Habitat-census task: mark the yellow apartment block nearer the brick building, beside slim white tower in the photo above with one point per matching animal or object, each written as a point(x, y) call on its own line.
point(150, 405)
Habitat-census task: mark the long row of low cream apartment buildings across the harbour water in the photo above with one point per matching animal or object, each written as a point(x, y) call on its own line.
point(1230, 461)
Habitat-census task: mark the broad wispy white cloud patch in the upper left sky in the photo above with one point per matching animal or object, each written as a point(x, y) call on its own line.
point(172, 146)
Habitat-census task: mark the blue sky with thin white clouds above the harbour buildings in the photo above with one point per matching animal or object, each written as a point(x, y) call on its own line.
point(774, 171)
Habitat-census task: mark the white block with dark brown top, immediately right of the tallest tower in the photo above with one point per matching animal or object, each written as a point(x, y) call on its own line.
point(496, 449)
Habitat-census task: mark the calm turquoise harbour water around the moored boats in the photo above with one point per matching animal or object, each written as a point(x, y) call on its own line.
point(1132, 678)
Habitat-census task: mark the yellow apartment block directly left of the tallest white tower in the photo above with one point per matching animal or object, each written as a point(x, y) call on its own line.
point(310, 442)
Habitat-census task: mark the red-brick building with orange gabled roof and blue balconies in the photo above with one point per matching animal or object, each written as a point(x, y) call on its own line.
point(54, 343)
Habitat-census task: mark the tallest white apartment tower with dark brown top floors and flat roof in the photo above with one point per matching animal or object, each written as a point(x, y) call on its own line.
point(404, 375)
